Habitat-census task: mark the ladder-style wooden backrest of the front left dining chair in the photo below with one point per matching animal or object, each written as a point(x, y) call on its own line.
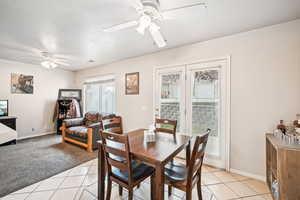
point(117, 153)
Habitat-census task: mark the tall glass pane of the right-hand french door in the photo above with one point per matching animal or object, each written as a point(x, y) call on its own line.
point(206, 106)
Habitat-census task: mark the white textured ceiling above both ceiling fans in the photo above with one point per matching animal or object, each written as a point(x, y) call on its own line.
point(73, 28)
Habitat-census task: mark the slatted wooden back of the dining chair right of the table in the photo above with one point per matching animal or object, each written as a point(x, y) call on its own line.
point(197, 156)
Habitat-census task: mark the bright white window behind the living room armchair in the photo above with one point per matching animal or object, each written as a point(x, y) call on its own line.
point(100, 95)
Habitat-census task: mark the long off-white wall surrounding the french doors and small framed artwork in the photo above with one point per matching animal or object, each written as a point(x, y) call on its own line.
point(265, 82)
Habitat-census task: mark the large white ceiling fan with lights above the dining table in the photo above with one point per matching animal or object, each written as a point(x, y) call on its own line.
point(150, 13)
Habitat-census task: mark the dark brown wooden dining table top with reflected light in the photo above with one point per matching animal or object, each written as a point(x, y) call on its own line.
point(161, 151)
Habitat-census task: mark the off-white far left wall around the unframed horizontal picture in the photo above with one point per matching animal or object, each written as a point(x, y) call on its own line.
point(33, 111)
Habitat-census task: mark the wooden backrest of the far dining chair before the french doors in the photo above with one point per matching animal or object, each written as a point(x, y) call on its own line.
point(166, 126)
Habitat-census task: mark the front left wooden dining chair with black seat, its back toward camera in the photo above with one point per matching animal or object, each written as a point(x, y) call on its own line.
point(120, 167)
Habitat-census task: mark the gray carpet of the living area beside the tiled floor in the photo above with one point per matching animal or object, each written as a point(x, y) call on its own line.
point(33, 160)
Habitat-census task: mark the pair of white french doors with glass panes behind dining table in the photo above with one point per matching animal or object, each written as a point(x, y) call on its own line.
point(196, 96)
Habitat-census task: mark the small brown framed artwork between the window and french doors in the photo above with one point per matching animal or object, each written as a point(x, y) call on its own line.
point(132, 83)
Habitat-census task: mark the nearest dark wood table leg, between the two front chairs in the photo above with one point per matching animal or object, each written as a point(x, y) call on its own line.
point(159, 182)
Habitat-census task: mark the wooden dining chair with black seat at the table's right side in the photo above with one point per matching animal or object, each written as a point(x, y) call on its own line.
point(185, 178)
